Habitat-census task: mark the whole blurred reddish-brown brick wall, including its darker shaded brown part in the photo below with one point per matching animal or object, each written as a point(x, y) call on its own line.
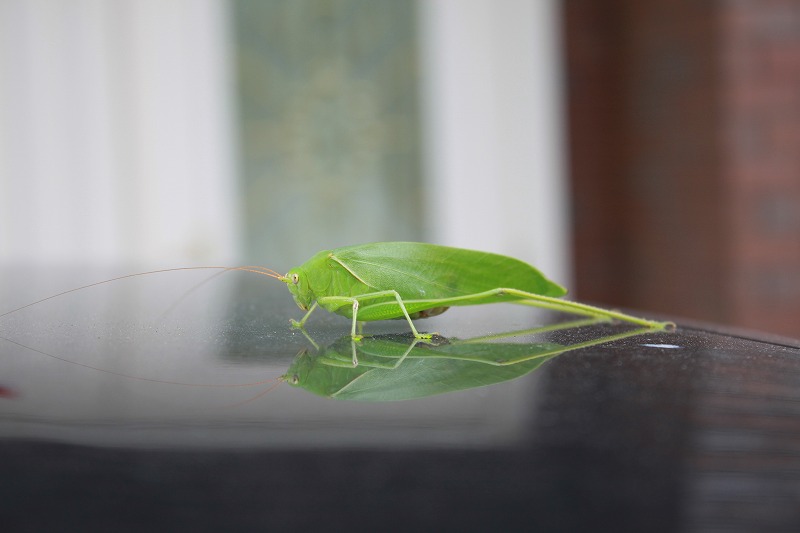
point(685, 157)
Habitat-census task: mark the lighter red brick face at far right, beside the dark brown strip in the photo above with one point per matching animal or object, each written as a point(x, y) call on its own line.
point(760, 96)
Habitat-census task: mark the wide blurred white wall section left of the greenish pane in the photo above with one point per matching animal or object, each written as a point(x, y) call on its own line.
point(115, 132)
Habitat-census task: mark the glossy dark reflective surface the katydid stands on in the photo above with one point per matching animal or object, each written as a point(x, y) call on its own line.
point(187, 399)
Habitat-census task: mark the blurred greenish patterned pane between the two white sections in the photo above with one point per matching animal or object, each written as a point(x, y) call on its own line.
point(329, 125)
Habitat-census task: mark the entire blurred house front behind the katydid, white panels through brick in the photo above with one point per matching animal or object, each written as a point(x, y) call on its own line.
point(646, 154)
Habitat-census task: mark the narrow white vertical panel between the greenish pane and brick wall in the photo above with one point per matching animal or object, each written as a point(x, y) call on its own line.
point(492, 87)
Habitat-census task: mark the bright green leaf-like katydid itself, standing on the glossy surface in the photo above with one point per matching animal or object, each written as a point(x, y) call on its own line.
point(409, 280)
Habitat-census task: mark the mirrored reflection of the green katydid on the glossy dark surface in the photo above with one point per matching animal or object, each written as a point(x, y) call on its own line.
point(390, 368)
